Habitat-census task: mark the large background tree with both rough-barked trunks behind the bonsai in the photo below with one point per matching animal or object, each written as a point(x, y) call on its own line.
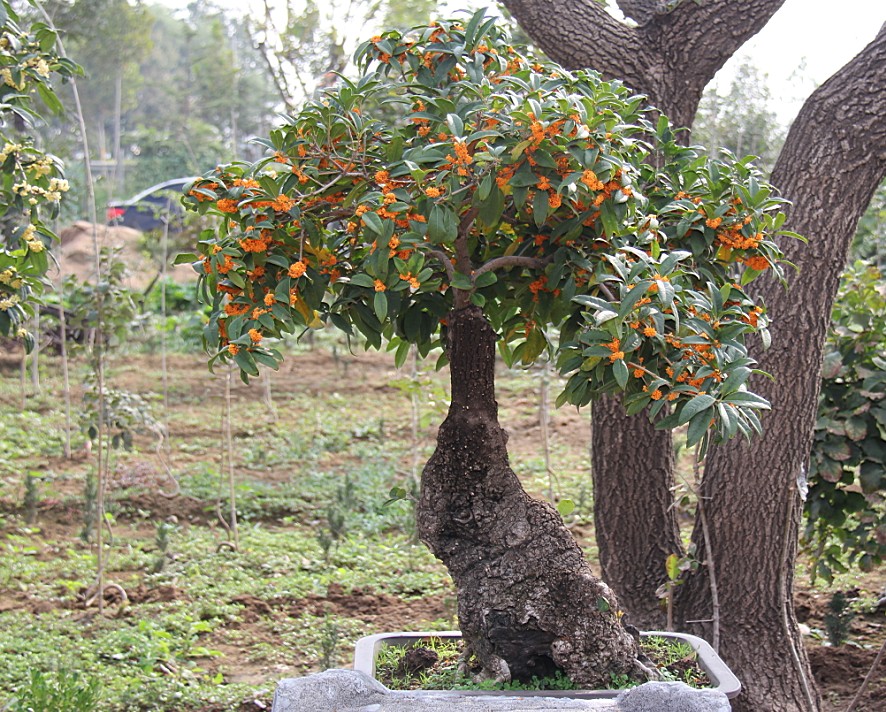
point(670, 56)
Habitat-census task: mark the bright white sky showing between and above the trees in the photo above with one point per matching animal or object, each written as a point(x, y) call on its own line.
point(820, 33)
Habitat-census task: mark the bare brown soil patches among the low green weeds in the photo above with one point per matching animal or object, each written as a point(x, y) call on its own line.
point(839, 670)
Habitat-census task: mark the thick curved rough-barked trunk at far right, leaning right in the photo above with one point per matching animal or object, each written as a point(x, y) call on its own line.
point(832, 162)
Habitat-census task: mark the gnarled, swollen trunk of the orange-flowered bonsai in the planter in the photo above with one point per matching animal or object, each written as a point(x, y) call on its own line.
point(528, 603)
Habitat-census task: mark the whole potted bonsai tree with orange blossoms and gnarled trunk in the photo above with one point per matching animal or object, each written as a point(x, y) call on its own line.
point(460, 195)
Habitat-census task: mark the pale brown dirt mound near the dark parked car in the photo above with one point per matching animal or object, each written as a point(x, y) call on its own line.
point(77, 255)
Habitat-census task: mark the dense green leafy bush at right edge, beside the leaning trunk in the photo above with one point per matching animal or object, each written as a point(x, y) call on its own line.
point(846, 503)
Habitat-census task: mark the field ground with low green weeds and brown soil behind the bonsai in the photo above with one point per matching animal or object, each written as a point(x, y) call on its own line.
point(322, 558)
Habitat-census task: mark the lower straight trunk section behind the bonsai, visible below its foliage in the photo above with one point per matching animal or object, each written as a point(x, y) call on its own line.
point(635, 526)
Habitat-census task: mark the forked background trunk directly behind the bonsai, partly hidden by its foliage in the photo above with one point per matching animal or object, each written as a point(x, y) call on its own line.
point(670, 57)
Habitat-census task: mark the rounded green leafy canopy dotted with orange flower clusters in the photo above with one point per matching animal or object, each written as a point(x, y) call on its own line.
point(457, 170)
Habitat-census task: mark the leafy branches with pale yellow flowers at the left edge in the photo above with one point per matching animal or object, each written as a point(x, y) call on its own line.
point(31, 181)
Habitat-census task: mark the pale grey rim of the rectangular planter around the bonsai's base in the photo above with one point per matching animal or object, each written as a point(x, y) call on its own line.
point(722, 678)
